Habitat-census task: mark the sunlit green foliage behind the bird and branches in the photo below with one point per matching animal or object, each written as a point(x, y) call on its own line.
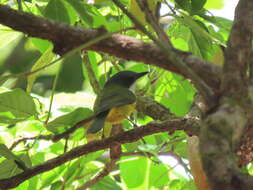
point(55, 94)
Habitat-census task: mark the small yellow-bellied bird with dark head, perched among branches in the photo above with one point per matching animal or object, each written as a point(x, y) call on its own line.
point(115, 102)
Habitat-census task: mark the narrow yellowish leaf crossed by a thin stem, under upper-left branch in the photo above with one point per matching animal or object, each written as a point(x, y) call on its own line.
point(45, 59)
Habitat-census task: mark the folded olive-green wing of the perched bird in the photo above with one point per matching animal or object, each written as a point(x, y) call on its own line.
point(113, 96)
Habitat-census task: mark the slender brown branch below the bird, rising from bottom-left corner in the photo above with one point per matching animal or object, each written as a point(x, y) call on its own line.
point(189, 126)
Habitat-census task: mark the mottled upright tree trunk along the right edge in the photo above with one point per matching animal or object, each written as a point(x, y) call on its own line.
point(224, 128)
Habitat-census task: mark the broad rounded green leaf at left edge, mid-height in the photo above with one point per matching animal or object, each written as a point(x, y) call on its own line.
point(18, 103)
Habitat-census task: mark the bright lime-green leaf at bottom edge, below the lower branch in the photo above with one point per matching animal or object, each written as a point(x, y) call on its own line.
point(134, 172)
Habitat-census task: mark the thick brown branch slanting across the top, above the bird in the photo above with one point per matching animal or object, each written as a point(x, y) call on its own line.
point(65, 38)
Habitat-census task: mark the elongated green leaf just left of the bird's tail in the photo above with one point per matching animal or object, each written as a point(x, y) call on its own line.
point(66, 121)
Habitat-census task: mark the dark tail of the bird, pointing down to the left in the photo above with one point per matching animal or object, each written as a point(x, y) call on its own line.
point(98, 122)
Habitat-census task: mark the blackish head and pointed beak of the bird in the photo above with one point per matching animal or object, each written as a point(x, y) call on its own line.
point(124, 78)
